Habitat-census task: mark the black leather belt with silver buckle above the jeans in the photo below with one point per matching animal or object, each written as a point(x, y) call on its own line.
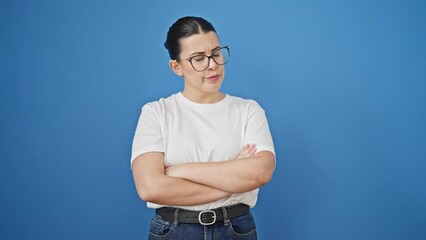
point(207, 217)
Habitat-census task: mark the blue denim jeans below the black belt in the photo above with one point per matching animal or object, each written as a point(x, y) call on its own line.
point(239, 228)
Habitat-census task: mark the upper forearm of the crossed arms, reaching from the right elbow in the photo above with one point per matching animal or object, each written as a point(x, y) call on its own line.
point(236, 176)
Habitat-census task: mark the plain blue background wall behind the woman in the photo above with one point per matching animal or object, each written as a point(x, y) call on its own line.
point(343, 84)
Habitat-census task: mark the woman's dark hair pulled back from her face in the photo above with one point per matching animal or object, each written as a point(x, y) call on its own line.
point(185, 27)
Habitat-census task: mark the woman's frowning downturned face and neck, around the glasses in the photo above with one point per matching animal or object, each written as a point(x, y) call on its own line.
point(203, 83)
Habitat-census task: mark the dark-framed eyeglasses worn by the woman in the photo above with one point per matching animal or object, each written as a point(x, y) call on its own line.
point(202, 62)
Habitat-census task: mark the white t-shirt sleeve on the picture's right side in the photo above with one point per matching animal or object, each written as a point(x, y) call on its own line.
point(257, 129)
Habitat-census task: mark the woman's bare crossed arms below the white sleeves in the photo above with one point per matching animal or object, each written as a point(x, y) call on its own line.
point(202, 182)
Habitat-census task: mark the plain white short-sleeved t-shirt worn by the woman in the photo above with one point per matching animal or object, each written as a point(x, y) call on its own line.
point(186, 131)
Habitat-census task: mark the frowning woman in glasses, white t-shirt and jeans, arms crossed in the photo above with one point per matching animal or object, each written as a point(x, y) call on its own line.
point(199, 156)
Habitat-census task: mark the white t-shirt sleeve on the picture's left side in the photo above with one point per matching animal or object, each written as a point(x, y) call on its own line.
point(148, 137)
